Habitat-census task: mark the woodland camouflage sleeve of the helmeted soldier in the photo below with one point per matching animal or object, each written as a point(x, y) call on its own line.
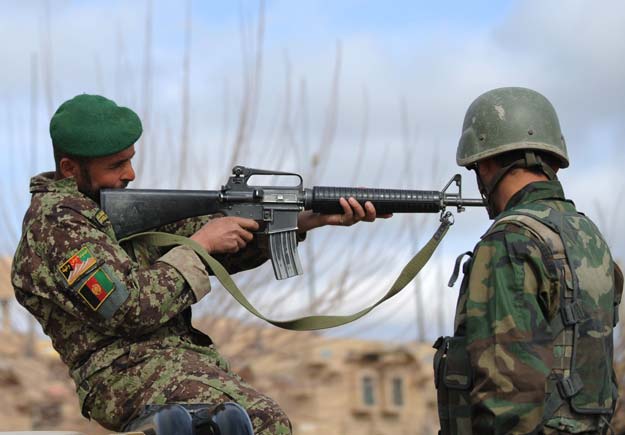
point(508, 335)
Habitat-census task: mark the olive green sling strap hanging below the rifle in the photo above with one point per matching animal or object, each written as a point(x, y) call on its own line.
point(307, 323)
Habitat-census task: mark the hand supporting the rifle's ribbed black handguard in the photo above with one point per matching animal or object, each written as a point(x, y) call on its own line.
point(353, 213)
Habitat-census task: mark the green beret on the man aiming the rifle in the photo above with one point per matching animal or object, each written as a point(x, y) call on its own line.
point(93, 126)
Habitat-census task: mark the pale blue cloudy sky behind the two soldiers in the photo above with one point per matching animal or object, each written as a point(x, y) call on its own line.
point(374, 92)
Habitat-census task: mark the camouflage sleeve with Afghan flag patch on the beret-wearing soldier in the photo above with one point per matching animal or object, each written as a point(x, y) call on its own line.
point(80, 267)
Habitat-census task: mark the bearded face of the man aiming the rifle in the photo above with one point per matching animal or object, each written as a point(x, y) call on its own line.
point(113, 171)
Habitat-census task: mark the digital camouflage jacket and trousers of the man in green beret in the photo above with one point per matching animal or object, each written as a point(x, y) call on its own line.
point(120, 316)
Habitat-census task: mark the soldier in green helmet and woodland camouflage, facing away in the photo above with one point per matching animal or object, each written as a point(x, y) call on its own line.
point(532, 347)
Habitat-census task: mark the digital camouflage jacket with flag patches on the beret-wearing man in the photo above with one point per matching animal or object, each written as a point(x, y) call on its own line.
point(95, 298)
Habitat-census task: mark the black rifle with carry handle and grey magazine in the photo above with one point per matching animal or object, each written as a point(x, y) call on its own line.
point(274, 207)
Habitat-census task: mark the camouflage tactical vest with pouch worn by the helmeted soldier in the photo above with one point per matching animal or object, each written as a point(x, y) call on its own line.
point(581, 390)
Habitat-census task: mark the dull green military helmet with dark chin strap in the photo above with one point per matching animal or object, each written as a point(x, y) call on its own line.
point(509, 119)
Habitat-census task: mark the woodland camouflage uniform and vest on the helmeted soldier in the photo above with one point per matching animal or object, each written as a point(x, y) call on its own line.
point(499, 374)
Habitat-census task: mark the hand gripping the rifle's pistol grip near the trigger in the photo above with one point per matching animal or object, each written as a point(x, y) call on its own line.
point(225, 234)
